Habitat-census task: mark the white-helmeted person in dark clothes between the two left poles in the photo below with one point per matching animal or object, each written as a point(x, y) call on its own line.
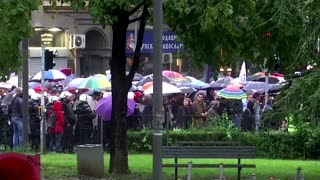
point(35, 119)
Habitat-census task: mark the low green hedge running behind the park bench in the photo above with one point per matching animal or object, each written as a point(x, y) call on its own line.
point(304, 143)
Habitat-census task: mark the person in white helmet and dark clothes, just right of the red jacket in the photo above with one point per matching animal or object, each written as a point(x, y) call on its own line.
point(70, 120)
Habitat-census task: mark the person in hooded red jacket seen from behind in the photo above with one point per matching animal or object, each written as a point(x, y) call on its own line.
point(55, 124)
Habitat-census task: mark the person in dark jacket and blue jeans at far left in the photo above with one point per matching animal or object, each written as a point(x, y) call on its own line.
point(17, 118)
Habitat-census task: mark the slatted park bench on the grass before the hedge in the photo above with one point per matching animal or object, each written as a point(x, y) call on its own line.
point(208, 149)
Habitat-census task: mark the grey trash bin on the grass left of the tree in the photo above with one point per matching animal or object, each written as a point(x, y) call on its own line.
point(90, 160)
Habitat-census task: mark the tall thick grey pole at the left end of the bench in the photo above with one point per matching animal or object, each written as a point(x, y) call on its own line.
point(157, 91)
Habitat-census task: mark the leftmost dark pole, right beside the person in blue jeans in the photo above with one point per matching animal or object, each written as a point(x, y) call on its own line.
point(25, 87)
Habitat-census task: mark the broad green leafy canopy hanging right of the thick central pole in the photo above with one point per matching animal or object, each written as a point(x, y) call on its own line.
point(222, 32)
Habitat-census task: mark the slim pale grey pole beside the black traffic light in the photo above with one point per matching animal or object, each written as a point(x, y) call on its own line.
point(43, 112)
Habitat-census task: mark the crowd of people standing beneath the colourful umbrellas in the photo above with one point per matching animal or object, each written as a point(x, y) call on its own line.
point(75, 120)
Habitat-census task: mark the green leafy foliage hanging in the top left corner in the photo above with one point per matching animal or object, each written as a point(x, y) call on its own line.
point(15, 25)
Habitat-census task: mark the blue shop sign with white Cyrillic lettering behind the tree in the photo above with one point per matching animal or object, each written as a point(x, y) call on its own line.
point(170, 44)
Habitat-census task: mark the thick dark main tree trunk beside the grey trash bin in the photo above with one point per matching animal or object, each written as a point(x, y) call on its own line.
point(119, 152)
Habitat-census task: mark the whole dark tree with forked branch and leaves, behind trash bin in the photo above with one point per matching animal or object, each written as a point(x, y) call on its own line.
point(119, 14)
